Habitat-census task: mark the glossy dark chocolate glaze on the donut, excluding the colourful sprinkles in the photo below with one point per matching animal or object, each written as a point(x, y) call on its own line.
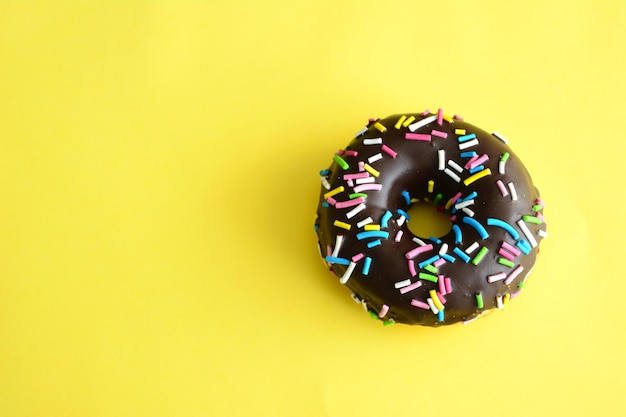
point(415, 164)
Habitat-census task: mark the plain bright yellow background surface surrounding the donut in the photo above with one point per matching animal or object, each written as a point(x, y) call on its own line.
point(158, 179)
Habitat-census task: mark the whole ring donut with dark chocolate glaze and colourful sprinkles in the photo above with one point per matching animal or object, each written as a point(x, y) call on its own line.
point(472, 176)
